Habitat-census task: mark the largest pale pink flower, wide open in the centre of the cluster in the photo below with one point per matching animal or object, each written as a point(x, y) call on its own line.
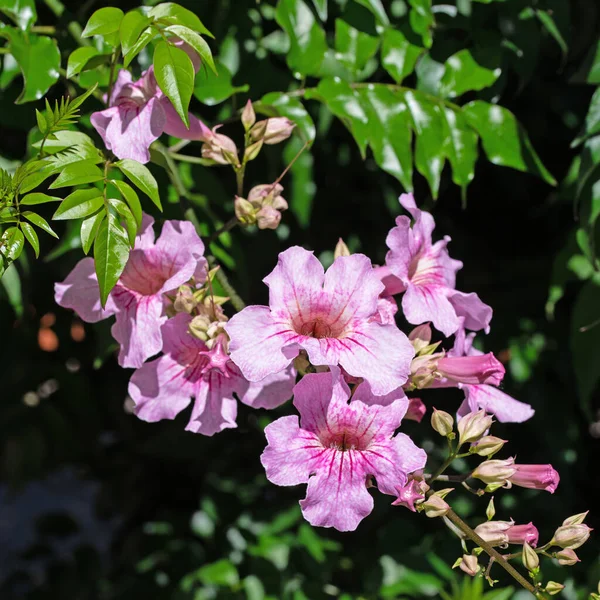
point(330, 315)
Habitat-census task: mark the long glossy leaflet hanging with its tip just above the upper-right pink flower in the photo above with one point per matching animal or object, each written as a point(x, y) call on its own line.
point(389, 131)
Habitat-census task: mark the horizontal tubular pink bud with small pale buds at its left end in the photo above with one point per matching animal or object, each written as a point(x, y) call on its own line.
point(435, 369)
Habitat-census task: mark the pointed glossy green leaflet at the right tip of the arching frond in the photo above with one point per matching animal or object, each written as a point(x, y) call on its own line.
point(504, 140)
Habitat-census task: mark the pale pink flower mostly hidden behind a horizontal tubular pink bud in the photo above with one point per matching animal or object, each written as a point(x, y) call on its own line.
point(487, 397)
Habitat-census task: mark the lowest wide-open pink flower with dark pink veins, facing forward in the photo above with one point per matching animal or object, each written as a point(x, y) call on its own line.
point(335, 448)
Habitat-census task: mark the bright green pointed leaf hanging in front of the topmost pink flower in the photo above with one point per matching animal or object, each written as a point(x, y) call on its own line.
point(175, 74)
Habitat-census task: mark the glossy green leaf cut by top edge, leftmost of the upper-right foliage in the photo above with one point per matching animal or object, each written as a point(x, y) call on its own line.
point(307, 39)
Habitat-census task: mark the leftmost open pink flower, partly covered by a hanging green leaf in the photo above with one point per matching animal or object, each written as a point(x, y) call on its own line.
point(137, 301)
